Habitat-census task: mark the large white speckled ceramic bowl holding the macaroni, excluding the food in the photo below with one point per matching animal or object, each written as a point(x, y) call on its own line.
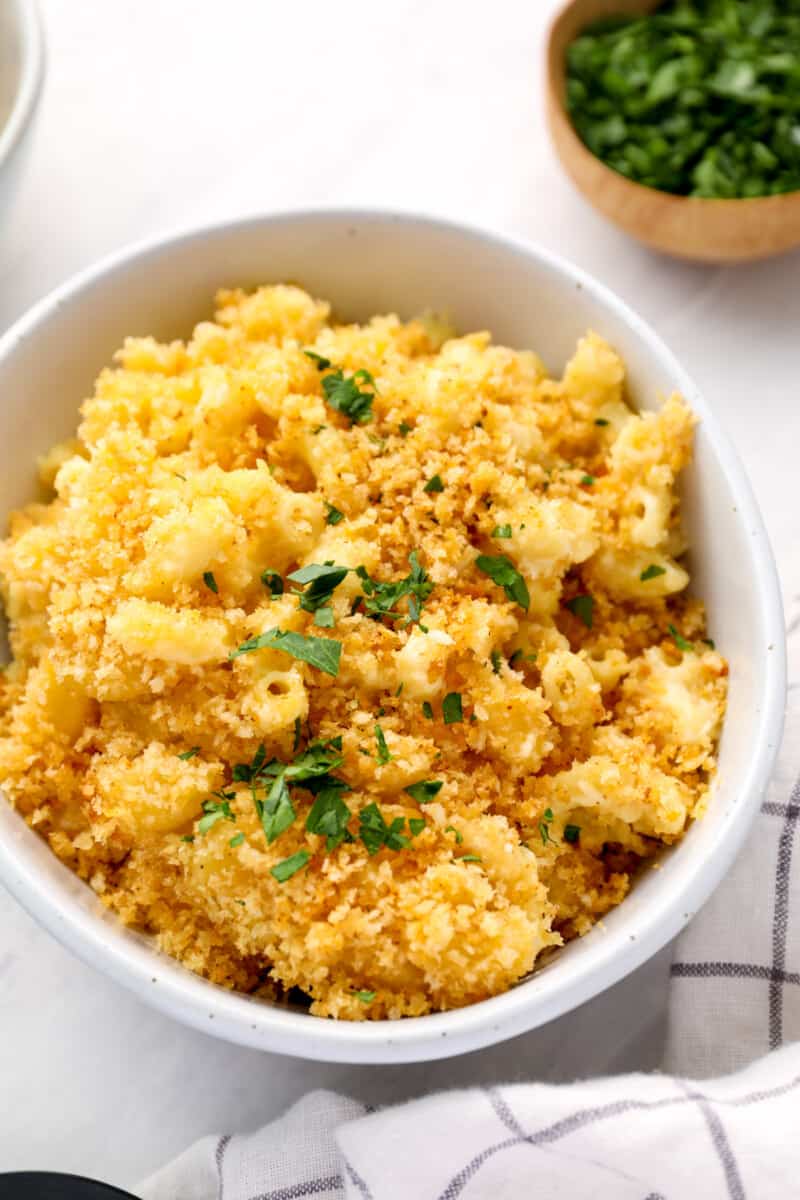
point(368, 263)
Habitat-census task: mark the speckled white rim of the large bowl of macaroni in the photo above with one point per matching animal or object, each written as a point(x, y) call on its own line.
point(176, 992)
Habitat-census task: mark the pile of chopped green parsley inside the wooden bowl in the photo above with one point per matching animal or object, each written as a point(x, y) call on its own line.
point(697, 98)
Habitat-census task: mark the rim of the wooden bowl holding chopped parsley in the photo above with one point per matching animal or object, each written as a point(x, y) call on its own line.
point(555, 77)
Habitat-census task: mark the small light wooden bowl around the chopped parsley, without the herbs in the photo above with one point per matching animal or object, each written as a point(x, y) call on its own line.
point(683, 226)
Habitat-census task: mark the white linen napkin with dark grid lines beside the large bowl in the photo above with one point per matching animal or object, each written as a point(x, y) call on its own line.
point(735, 997)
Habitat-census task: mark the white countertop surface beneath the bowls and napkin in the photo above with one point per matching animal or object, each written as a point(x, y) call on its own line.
point(159, 116)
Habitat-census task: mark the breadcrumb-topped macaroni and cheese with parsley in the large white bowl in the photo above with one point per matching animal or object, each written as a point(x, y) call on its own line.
point(543, 674)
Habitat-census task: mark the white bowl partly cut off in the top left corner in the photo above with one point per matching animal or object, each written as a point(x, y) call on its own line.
point(21, 69)
